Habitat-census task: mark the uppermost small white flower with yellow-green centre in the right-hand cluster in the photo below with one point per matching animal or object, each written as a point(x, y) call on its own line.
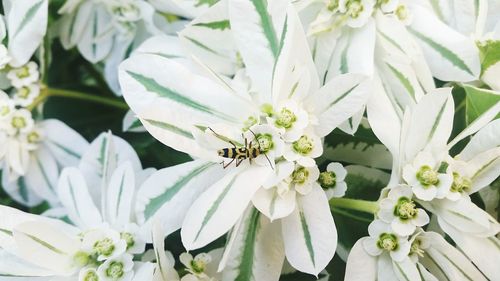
point(425, 180)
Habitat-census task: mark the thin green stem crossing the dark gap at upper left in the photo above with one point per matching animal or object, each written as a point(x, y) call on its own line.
point(53, 92)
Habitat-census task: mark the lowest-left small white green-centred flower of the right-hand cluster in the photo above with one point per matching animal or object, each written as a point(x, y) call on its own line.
point(384, 239)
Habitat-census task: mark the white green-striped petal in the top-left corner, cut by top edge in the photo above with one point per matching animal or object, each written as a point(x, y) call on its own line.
point(27, 25)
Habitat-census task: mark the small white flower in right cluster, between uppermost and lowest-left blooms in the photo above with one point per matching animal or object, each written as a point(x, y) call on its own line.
point(401, 212)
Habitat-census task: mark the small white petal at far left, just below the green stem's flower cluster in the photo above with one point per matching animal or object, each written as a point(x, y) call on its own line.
point(64, 143)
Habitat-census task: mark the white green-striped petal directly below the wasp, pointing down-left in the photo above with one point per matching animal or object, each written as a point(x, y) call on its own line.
point(221, 205)
